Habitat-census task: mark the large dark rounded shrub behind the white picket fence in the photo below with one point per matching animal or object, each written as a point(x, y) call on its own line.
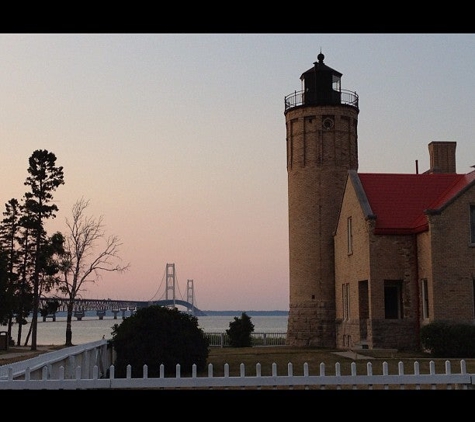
point(157, 335)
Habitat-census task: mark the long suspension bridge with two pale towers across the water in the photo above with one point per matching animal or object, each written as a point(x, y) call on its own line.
point(168, 298)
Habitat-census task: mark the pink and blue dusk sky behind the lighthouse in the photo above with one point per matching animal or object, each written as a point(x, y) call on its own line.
point(178, 141)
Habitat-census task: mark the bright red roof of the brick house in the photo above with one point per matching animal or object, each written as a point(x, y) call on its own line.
point(399, 200)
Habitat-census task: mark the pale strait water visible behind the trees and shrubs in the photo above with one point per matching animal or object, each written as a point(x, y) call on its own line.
point(91, 328)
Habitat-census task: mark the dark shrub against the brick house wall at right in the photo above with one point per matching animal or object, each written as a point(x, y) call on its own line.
point(445, 339)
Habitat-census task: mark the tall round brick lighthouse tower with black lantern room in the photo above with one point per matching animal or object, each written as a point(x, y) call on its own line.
point(322, 145)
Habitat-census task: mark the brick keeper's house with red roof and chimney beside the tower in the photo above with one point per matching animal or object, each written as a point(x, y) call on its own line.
point(404, 253)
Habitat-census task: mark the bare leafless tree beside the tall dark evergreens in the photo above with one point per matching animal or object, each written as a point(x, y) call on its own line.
point(84, 259)
